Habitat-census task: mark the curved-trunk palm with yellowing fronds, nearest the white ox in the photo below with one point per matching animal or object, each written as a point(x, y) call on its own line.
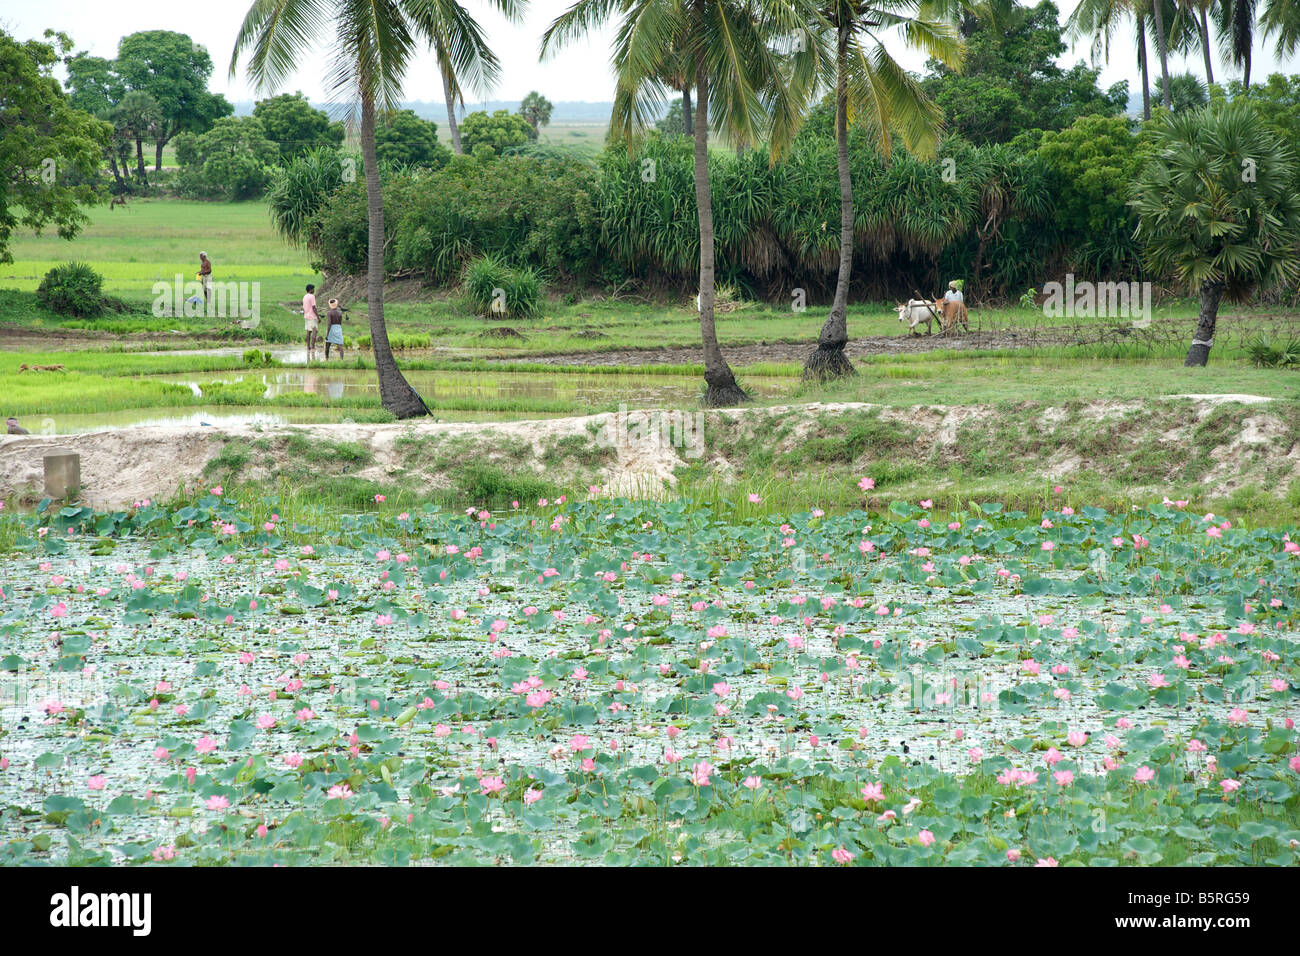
point(870, 83)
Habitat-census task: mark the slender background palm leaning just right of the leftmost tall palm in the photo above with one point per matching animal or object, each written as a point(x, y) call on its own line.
point(462, 51)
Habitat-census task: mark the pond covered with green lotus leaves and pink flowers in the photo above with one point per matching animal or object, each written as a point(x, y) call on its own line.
point(647, 682)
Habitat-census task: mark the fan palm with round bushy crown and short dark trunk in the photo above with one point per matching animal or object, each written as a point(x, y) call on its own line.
point(1219, 207)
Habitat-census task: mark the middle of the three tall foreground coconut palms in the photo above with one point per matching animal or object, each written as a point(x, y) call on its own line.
point(751, 88)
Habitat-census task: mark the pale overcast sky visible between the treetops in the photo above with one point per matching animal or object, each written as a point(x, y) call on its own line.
point(579, 73)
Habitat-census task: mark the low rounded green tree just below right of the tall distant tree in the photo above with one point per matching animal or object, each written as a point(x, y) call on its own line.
point(231, 162)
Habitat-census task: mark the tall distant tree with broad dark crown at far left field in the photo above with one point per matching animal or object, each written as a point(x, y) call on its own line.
point(175, 71)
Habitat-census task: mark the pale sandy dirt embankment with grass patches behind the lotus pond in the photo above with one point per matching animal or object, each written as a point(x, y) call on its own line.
point(1215, 443)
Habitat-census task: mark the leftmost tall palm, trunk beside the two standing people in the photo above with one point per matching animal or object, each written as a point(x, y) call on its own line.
point(375, 40)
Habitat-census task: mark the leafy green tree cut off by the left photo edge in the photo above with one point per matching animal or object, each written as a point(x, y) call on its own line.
point(42, 139)
